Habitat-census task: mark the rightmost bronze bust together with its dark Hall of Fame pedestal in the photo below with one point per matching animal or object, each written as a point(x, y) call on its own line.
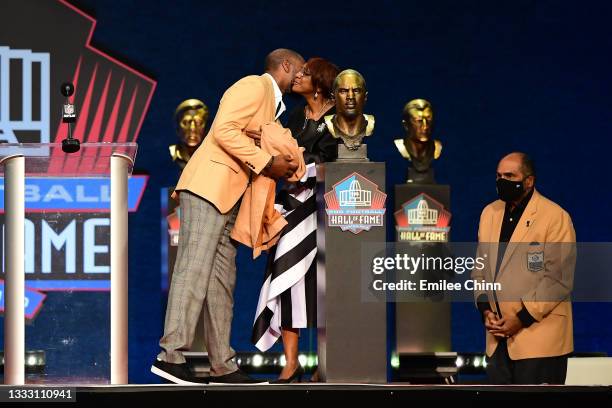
point(422, 326)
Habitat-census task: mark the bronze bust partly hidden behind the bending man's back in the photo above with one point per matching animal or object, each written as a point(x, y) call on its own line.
point(190, 118)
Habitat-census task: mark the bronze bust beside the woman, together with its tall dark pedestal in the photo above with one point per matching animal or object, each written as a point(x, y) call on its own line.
point(351, 212)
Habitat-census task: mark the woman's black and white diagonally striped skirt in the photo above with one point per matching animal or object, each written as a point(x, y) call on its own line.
point(289, 292)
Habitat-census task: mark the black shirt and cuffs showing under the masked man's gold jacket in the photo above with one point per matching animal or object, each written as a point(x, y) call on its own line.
point(512, 215)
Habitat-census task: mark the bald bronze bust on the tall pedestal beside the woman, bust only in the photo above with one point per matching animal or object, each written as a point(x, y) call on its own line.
point(350, 123)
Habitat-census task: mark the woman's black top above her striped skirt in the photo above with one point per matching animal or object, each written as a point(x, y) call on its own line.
point(320, 146)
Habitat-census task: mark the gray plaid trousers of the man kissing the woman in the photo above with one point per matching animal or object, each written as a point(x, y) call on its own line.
point(204, 277)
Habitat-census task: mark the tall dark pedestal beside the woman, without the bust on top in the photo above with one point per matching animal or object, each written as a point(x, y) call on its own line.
point(352, 333)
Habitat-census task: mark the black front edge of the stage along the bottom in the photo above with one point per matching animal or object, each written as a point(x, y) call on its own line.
point(348, 395)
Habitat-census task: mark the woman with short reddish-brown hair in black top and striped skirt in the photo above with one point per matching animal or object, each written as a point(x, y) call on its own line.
point(287, 301)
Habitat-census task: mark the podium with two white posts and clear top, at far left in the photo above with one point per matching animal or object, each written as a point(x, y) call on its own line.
point(114, 160)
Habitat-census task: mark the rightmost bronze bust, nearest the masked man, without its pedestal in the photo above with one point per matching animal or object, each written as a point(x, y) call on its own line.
point(417, 146)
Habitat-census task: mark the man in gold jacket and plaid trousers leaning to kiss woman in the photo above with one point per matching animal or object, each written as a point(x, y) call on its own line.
point(210, 189)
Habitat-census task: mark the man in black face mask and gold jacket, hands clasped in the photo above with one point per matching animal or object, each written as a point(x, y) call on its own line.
point(529, 243)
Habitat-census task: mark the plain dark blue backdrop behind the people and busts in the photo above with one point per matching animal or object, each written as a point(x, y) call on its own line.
point(523, 75)
